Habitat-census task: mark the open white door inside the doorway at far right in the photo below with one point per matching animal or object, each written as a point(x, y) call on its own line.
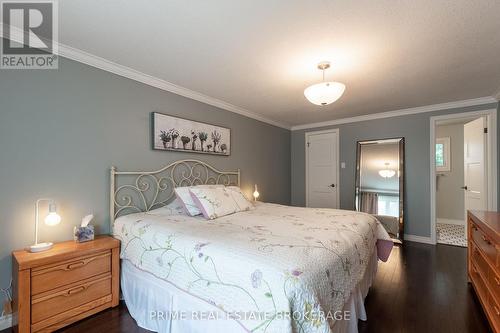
point(475, 172)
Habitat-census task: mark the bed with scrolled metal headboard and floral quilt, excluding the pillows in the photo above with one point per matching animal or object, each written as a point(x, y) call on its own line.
point(273, 268)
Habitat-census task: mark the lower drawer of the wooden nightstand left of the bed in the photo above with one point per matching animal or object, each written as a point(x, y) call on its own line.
point(60, 300)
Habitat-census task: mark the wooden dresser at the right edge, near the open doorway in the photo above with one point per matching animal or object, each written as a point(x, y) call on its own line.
point(483, 232)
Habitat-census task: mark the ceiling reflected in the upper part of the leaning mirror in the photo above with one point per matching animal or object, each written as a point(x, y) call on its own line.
point(373, 159)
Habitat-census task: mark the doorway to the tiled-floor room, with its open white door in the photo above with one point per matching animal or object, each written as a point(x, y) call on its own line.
point(463, 172)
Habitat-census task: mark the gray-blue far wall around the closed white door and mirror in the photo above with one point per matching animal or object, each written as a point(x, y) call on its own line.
point(416, 131)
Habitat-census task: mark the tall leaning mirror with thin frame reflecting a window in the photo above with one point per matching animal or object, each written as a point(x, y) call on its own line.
point(380, 183)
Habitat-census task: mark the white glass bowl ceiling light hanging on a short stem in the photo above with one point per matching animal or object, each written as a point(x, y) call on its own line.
point(324, 93)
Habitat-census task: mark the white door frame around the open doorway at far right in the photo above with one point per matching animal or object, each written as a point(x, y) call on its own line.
point(491, 120)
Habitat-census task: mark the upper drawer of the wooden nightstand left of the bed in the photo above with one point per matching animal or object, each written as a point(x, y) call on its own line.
point(49, 277)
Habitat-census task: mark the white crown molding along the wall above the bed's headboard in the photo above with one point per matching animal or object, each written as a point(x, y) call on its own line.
point(130, 73)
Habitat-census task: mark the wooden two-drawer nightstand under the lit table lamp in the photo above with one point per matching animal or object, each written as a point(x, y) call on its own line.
point(67, 283)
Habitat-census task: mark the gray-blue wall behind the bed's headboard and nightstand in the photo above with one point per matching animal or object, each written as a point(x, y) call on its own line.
point(61, 130)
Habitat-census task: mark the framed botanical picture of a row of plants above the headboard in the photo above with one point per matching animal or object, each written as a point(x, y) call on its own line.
point(178, 134)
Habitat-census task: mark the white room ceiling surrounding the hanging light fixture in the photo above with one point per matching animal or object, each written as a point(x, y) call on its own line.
point(260, 55)
